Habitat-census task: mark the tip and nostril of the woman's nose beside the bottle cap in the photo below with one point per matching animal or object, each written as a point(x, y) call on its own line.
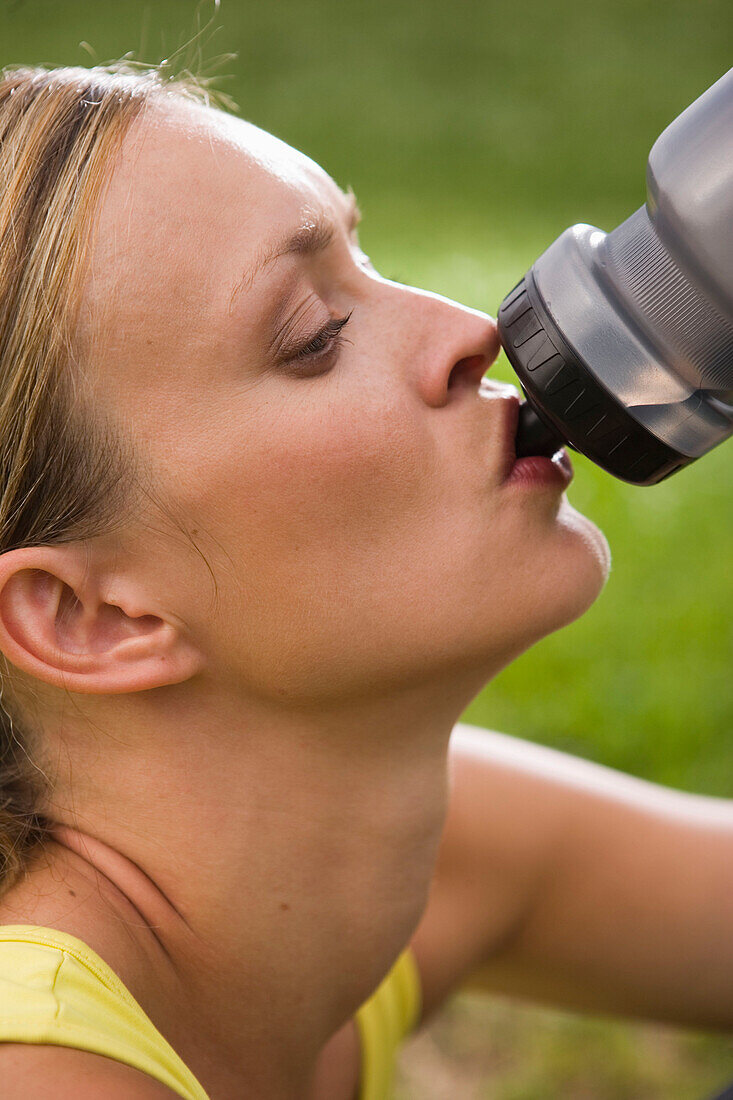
point(462, 350)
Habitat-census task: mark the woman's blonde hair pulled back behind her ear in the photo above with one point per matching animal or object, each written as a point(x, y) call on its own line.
point(64, 475)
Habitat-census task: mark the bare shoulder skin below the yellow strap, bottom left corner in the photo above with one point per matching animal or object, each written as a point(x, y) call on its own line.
point(37, 1071)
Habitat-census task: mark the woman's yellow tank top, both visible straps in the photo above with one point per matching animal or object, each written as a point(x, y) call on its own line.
point(56, 989)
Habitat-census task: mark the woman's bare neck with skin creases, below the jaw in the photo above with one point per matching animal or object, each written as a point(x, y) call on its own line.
point(281, 862)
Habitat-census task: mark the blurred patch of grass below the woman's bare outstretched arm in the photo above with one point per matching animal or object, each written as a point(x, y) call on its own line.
point(484, 1050)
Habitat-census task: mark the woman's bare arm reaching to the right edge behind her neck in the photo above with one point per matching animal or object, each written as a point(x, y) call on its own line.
point(573, 885)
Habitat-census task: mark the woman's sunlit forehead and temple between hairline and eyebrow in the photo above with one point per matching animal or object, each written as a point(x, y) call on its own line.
point(195, 197)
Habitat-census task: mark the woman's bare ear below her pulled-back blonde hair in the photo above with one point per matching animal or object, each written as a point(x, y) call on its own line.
point(78, 629)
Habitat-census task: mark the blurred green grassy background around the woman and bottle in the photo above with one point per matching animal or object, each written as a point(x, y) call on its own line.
point(473, 135)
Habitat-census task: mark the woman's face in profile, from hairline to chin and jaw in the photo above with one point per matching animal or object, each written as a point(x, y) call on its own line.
point(345, 481)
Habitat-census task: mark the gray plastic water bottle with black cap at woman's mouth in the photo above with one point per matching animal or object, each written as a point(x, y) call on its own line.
point(646, 312)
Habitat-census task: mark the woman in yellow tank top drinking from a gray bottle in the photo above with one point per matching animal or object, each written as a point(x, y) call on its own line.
point(264, 542)
